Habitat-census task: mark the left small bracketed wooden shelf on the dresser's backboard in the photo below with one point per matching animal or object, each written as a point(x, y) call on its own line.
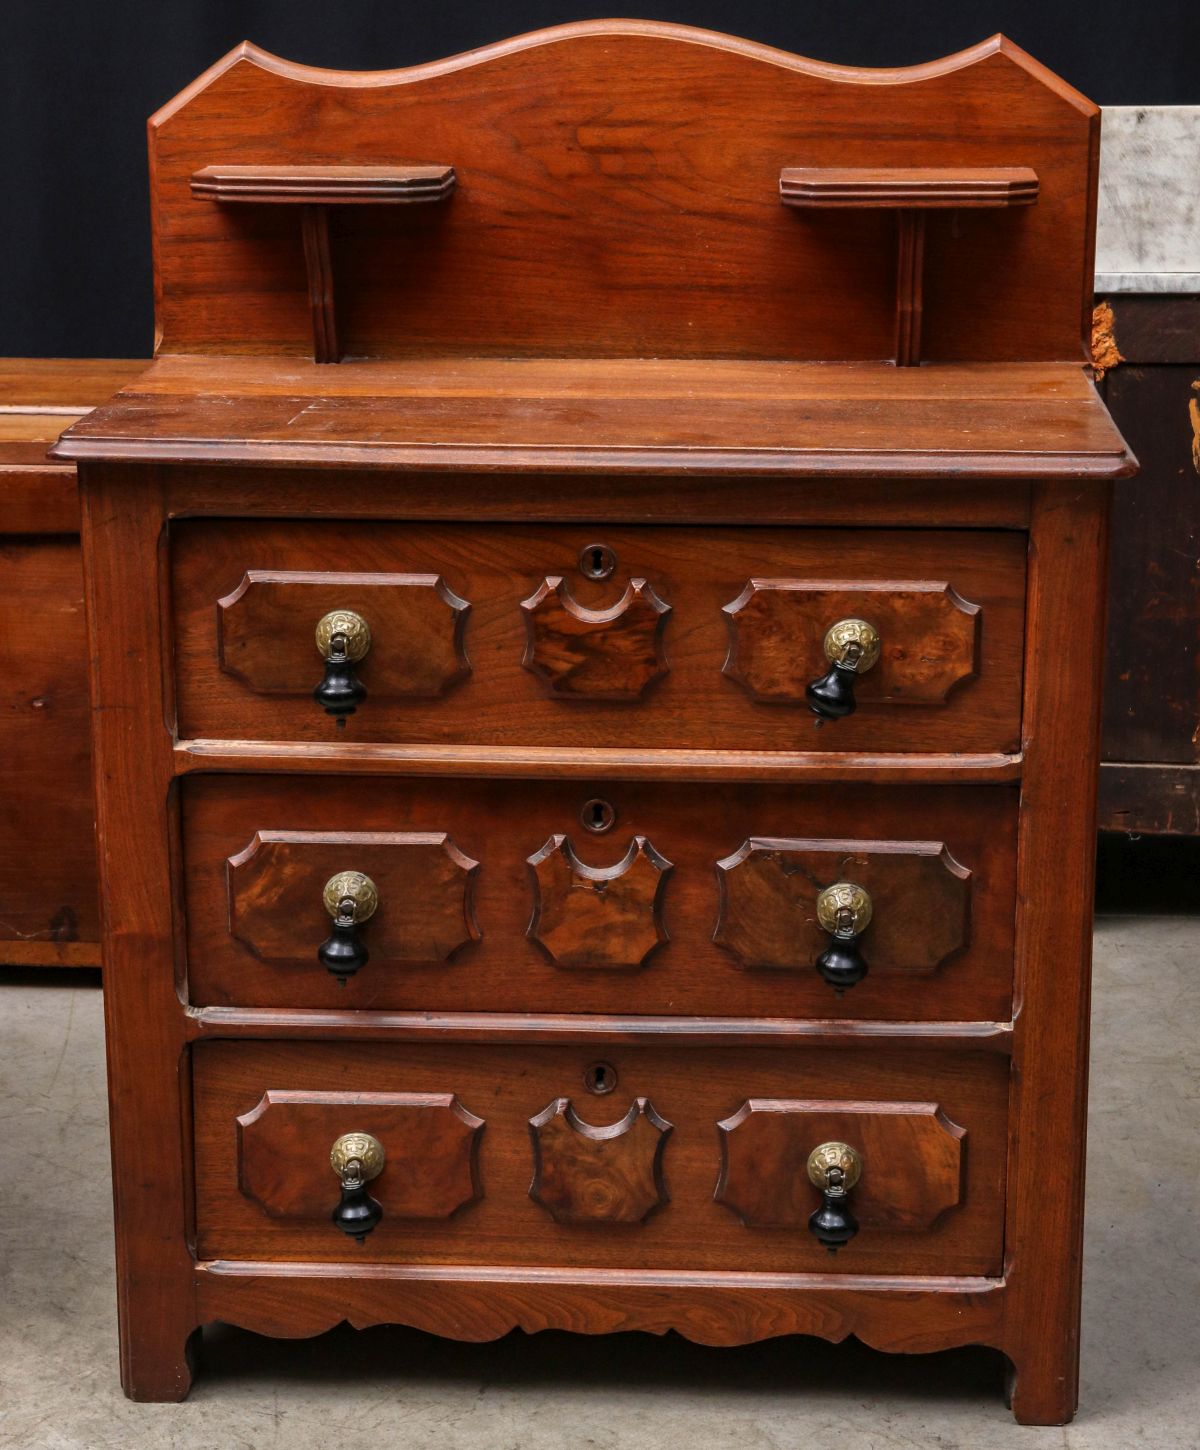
point(315, 189)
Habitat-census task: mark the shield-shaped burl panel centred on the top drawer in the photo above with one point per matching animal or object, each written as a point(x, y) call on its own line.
point(595, 655)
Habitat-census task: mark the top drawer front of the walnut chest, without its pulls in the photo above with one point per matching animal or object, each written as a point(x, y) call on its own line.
point(601, 637)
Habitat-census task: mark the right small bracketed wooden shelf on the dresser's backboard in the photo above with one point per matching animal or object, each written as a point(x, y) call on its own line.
point(911, 192)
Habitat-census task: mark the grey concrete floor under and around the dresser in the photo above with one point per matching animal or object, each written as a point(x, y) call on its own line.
point(398, 1390)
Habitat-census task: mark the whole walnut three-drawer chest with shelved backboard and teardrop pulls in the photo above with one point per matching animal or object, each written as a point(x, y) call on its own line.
point(596, 618)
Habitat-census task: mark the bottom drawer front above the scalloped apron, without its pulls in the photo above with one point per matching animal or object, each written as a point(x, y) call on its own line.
point(670, 1156)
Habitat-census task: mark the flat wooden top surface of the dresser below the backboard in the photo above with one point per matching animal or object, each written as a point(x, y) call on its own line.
point(625, 415)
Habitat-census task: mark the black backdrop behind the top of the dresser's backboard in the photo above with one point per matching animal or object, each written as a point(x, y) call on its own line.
point(79, 78)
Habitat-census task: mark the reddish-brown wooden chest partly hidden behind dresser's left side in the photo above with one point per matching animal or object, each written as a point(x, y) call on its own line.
point(50, 908)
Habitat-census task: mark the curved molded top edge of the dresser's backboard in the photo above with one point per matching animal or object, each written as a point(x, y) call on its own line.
point(664, 31)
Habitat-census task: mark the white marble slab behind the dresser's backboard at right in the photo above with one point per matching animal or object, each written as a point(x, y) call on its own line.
point(1149, 225)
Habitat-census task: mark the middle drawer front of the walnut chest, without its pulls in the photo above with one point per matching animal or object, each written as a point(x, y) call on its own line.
point(698, 900)
